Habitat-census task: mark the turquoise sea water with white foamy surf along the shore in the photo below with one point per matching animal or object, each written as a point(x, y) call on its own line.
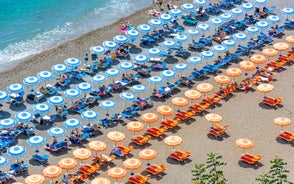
point(28, 27)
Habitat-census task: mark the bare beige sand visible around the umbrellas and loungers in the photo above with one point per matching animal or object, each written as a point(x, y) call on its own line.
point(245, 116)
